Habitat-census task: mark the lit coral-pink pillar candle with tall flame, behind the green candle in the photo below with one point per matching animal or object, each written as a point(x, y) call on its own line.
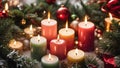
point(49, 29)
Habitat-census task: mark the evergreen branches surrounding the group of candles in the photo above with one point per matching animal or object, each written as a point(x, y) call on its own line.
point(11, 27)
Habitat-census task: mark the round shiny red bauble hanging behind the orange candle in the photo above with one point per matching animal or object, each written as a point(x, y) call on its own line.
point(63, 13)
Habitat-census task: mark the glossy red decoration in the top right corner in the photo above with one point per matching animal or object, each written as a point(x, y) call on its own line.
point(112, 6)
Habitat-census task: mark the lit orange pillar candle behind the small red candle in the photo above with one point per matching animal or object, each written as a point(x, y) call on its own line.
point(68, 35)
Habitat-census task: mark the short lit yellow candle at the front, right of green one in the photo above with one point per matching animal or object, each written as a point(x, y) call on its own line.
point(75, 55)
